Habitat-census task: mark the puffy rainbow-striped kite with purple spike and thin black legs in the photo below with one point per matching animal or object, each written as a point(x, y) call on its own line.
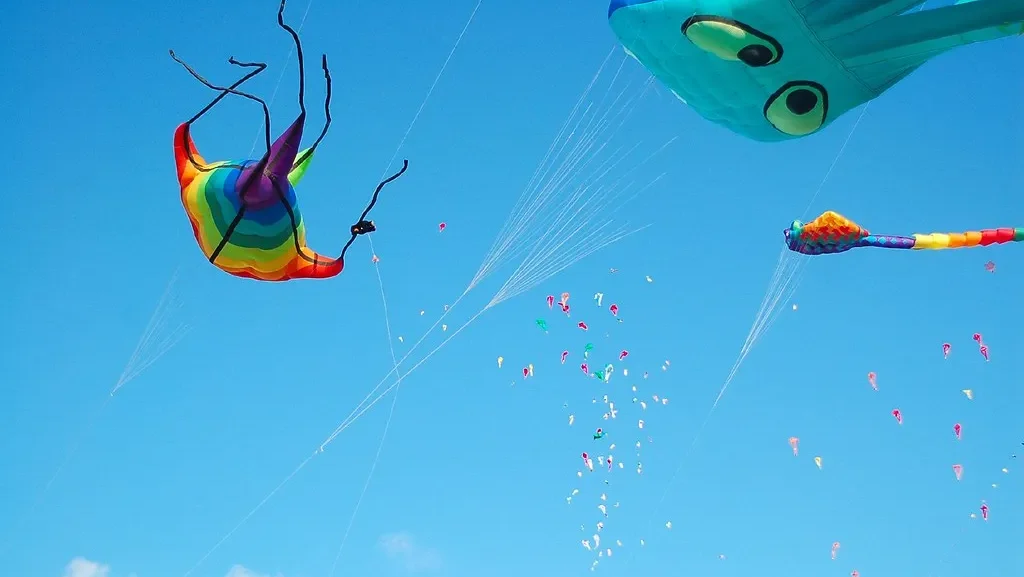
point(244, 214)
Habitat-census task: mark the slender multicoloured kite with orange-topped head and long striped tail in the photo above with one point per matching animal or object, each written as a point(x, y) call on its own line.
point(833, 233)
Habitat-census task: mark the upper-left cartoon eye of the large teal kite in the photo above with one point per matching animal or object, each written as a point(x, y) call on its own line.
point(733, 40)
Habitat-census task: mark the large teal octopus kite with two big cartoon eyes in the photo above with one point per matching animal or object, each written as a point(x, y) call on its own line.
point(774, 70)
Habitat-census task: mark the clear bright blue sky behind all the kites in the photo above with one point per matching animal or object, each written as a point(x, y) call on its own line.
point(475, 473)
